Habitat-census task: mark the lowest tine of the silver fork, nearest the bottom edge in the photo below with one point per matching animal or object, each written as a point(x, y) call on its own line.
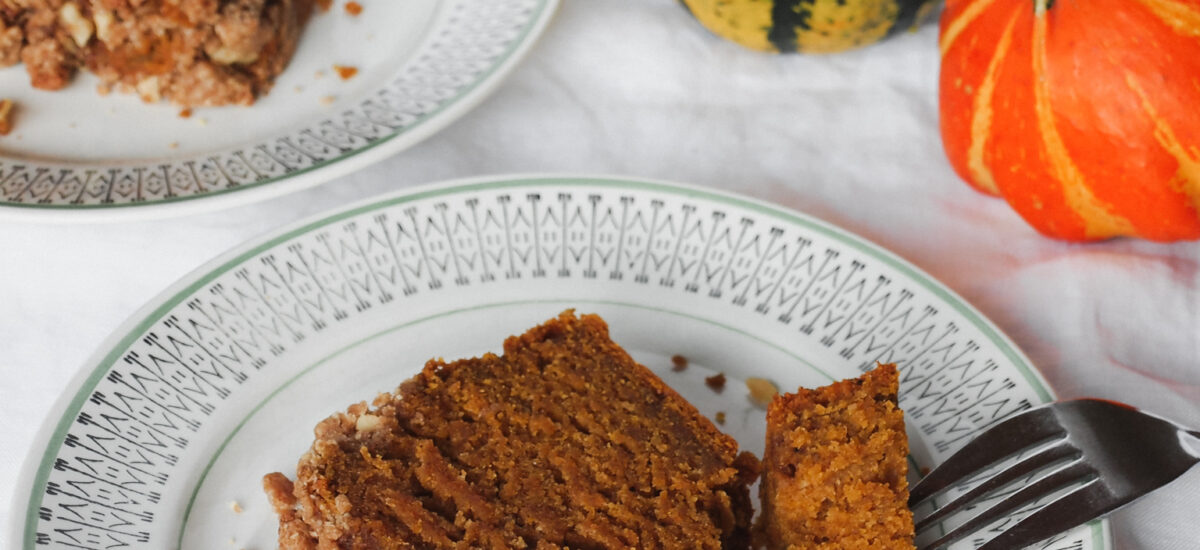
point(1075, 509)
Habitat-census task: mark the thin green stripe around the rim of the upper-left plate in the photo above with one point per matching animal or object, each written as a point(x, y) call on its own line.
point(518, 43)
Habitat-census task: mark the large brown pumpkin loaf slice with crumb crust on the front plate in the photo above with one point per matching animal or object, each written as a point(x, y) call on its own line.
point(563, 441)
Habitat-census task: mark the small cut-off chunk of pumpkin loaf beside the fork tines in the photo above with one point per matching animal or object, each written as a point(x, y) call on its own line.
point(835, 470)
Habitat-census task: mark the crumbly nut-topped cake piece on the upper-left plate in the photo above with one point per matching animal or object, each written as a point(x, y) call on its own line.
point(191, 53)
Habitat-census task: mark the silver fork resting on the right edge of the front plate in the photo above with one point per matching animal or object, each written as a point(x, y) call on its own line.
point(1115, 452)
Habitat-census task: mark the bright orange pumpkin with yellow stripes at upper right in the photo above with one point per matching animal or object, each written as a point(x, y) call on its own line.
point(1084, 115)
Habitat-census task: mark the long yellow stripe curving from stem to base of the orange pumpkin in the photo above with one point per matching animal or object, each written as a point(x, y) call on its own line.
point(1099, 219)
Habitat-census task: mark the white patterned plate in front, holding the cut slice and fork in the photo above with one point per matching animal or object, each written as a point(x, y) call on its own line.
point(223, 378)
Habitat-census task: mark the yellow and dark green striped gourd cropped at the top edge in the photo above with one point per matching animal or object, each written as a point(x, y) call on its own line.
point(809, 26)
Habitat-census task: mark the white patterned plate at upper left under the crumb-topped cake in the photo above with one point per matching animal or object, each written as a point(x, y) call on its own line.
point(75, 156)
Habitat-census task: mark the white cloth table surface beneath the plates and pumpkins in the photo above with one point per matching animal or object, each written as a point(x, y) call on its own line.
point(638, 88)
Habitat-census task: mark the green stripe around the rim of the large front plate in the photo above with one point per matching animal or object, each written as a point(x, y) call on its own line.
point(861, 244)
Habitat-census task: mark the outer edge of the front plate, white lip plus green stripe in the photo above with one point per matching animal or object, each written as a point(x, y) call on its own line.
point(35, 470)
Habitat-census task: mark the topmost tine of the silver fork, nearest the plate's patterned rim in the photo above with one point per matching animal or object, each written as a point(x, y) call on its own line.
point(997, 444)
